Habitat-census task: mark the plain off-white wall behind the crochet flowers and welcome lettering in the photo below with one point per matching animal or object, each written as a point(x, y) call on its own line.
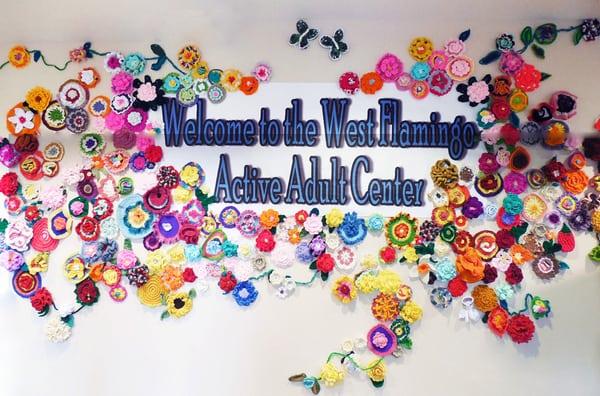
point(222, 349)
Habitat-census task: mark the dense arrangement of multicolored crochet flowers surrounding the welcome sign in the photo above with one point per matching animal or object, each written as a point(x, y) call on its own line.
point(165, 243)
